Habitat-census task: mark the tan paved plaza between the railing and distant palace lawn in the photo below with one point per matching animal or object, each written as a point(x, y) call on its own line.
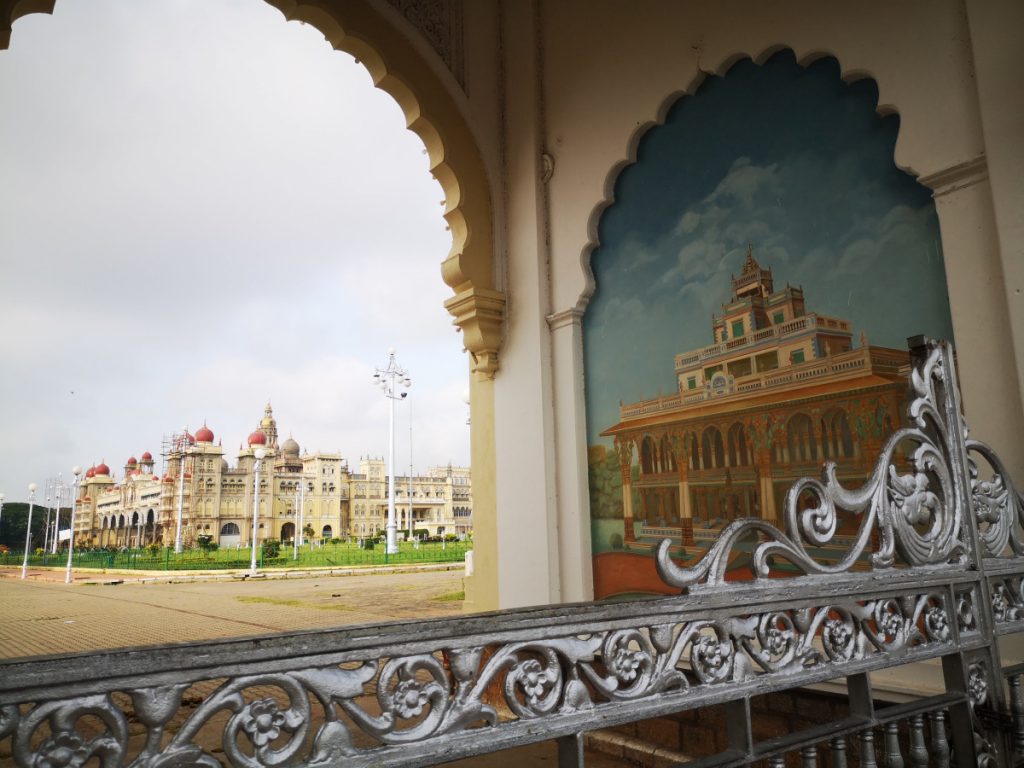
point(42, 616)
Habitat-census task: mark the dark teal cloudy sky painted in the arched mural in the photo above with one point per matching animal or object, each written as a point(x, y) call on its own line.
point(792, 161)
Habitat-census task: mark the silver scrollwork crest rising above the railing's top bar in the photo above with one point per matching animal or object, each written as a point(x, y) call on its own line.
point(918, 516)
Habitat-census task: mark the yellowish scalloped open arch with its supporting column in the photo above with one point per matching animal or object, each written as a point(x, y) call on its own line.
point(383, 44)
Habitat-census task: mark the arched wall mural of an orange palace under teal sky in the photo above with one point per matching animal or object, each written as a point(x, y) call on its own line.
point(754, 287)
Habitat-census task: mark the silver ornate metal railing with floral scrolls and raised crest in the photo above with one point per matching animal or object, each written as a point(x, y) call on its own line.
point(944, 543)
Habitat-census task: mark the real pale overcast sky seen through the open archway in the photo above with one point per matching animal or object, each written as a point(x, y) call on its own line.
point(203, 208)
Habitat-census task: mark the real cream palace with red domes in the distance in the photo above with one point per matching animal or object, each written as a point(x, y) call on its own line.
point(218, 500)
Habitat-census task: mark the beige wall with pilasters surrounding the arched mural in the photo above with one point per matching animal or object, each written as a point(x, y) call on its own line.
point(583, 82)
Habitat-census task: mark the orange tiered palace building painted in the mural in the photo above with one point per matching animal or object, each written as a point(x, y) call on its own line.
point(780, 392)
